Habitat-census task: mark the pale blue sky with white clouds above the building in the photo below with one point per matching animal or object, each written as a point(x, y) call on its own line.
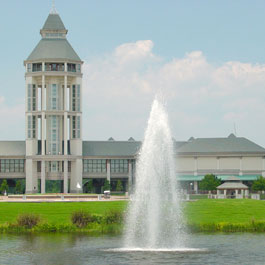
point(207, 58)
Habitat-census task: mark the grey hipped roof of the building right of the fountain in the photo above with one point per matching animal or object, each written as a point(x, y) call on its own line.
point(231, 144)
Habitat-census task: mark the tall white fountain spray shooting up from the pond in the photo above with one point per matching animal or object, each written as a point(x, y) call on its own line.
point(154, 218)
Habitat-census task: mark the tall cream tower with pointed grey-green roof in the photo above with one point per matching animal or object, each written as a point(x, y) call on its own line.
point(53, 110)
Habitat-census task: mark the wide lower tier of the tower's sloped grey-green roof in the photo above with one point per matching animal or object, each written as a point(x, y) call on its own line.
point(53, 49)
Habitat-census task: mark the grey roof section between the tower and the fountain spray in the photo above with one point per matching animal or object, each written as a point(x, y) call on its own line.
point(110, 148)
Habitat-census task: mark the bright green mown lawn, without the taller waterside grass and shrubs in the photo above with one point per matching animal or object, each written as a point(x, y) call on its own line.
point(197, 212)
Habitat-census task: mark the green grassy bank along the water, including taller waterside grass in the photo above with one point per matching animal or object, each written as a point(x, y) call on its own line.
point(201, 216)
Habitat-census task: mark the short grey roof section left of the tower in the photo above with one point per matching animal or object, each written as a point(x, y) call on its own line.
point(12, 148)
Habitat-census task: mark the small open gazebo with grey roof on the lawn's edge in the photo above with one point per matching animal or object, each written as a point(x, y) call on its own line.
point(232, 188)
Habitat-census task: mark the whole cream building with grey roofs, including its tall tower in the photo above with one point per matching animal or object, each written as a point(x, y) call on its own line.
point(55, 158)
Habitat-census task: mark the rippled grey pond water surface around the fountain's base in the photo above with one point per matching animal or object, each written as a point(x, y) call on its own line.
point(57, 249)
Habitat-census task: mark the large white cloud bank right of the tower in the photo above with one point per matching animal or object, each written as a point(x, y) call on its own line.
point(204, 100)
